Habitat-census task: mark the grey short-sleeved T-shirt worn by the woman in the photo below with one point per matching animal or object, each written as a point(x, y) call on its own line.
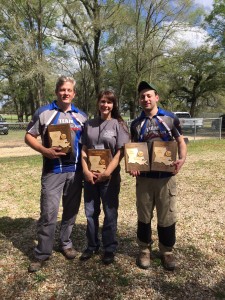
point(106, 134)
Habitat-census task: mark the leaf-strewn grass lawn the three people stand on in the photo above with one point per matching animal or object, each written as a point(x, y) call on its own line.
point(199, 249)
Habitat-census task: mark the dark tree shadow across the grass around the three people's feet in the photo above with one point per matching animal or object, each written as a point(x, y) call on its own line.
point(120, 280)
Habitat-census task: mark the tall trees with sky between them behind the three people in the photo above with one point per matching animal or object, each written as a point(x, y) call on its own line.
point(110, 44)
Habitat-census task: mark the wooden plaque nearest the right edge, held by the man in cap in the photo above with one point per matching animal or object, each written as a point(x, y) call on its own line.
point(163, 154)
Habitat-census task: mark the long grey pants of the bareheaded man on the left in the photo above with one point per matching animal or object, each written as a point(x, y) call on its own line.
point(53, 187)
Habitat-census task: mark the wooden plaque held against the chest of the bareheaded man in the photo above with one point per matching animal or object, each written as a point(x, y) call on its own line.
point(60, 136)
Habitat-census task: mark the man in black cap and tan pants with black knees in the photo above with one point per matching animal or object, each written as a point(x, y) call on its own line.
point(154, 188)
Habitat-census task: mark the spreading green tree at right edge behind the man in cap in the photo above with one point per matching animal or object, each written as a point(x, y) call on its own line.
point(196, 79)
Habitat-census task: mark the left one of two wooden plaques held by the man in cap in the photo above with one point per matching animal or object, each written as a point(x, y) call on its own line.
point(136, 157)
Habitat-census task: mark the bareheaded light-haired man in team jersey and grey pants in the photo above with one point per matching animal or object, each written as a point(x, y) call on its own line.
point(61, 174)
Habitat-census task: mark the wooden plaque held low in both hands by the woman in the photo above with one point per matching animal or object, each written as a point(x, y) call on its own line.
point(98, 159)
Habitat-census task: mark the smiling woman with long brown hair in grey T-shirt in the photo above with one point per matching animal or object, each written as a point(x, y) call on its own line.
point(107, 131)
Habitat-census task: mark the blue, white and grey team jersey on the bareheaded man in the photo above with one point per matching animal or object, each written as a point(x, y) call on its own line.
point(52, 114)
